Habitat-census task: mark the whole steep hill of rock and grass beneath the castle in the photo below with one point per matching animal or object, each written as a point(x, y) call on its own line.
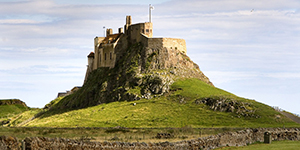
point(157, 87)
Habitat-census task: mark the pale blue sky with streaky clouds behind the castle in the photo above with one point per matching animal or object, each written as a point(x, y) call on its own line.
point(249, 48)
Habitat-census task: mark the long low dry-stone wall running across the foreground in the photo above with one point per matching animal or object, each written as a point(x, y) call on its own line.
point(239, 138)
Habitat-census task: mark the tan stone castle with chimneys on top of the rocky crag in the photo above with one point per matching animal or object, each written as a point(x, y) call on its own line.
point(108, 50)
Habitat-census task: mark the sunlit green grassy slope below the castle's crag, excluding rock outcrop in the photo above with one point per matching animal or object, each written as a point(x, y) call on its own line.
point(165, 111)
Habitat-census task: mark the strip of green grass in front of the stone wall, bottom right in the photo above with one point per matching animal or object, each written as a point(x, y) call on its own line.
point(276, 145)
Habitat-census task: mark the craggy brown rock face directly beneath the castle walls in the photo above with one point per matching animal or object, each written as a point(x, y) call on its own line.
point(141, 72)
